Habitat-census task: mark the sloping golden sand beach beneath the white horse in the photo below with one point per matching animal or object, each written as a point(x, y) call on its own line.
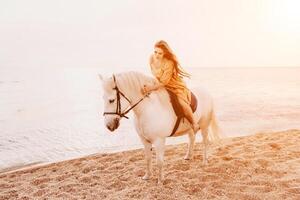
point(261, 166)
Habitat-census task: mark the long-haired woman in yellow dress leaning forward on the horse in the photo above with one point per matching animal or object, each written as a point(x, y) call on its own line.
point(167, 71)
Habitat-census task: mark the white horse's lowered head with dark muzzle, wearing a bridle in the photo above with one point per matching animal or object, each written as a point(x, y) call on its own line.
point(115, 103)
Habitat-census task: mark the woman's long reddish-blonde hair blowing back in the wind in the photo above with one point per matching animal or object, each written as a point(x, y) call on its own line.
point(168, 54)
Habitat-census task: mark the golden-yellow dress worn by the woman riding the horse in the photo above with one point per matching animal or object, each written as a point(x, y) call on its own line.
point(167, 76)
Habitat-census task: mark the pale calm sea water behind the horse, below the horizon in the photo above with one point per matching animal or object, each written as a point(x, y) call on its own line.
point(55, 114)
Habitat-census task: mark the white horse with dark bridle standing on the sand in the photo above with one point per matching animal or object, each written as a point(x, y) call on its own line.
point(154, 115)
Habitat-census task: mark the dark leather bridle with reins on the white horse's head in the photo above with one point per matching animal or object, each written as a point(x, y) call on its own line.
point(118, 109)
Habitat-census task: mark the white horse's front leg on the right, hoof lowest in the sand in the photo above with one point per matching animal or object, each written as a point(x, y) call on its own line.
point(160, 151)
